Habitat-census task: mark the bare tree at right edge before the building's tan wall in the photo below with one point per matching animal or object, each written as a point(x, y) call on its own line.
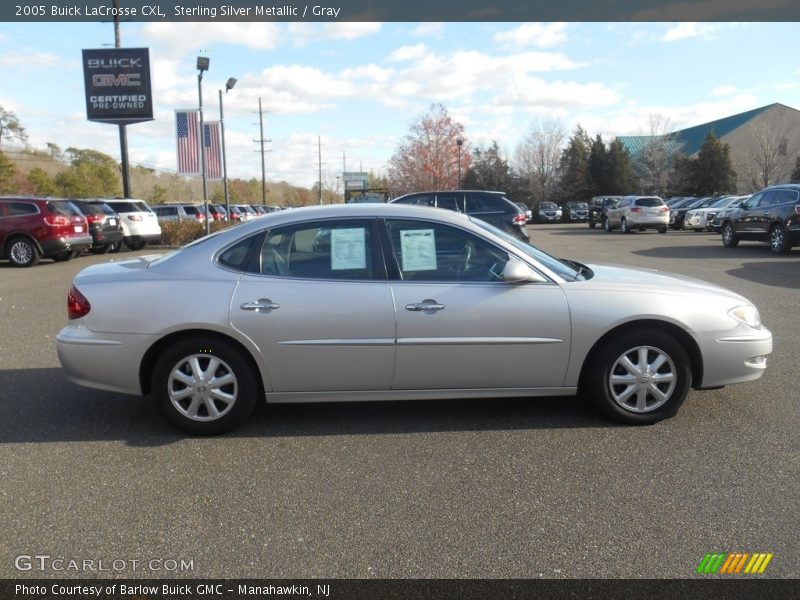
point(773, 145)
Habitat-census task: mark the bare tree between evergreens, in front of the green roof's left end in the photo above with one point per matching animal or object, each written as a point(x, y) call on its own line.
point(656, 158)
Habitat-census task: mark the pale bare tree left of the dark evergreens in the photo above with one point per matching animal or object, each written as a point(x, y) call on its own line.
point(538, 155)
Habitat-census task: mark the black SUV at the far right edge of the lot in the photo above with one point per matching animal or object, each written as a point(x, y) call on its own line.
point(771, 215)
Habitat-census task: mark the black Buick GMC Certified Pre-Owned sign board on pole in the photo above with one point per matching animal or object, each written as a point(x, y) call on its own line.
point(117, 82)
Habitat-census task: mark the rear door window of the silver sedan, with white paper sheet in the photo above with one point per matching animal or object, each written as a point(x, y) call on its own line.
point(324, 250)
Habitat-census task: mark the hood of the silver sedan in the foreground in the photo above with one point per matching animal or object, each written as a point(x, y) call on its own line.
point(637, 279)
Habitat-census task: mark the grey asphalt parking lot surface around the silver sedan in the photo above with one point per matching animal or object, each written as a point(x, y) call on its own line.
point(510, 488)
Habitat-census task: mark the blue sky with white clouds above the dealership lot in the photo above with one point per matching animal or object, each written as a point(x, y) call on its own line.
point(359, 85)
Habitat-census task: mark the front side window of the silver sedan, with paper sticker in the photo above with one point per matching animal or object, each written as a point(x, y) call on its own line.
point(427, 251)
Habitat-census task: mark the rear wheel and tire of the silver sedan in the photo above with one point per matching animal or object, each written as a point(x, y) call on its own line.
point(180, 387)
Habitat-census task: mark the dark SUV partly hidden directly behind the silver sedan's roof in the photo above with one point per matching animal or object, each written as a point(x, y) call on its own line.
point(492, 207)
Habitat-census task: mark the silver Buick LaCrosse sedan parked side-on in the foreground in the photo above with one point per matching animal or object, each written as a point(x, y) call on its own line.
point(389, 301)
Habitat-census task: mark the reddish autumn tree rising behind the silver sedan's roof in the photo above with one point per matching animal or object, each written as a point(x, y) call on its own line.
point(428, 157)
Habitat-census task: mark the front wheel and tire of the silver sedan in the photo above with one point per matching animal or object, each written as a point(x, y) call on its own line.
point(640, 377)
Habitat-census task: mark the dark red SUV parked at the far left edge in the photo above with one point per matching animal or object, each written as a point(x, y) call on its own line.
point(32, 228)
